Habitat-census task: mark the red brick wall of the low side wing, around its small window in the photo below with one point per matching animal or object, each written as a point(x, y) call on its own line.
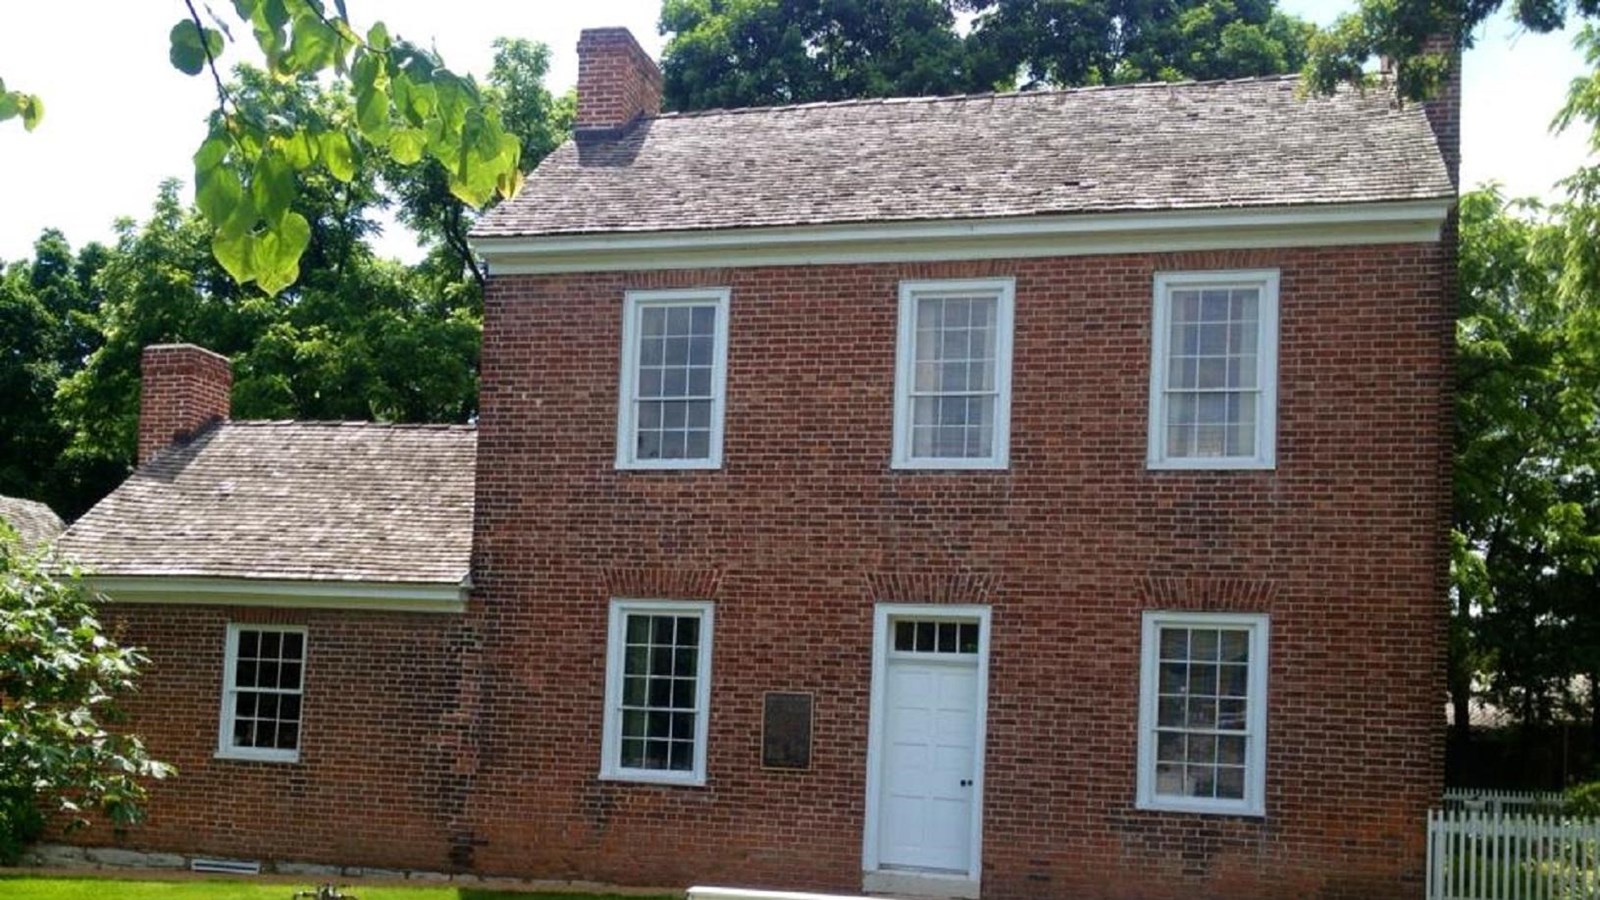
point(377, 782)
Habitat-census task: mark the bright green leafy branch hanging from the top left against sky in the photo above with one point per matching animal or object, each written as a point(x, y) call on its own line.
point(407, 108)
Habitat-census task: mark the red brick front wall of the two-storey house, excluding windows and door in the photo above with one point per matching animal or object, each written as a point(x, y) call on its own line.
point(807, 526)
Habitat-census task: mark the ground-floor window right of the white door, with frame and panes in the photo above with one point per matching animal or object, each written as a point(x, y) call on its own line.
point(1204, 713)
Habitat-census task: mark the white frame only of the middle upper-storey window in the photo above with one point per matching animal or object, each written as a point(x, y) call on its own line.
point(1004, 291)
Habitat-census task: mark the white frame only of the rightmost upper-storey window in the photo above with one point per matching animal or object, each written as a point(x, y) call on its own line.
point(1266, 281)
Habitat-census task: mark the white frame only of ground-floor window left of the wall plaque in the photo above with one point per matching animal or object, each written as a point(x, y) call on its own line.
point(612, 731)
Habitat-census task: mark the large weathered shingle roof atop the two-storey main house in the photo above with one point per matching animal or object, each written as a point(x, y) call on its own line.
point(1209, 145)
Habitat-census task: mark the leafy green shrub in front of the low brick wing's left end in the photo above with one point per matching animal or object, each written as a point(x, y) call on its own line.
point(60, 677)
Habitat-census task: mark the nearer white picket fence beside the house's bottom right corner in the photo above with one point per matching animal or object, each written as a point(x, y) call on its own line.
point(1476, 856)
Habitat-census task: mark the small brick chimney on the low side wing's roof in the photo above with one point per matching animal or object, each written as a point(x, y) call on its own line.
point(183, 390)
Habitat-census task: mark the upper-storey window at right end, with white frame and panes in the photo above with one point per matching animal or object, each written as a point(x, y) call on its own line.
point(1214, 371)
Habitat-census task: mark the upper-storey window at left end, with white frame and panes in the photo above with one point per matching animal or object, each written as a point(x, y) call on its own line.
point(674, 363)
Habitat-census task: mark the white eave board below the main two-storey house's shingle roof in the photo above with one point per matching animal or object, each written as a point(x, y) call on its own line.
point(1137, 231)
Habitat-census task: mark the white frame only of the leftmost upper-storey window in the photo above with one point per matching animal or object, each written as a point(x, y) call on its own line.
point(628, 382)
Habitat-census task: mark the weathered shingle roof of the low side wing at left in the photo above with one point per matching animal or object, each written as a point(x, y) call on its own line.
point(350, 502)
